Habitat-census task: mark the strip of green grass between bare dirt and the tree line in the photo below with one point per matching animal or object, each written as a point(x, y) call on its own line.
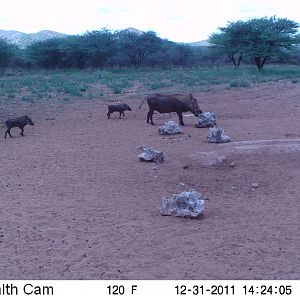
point(74, 84)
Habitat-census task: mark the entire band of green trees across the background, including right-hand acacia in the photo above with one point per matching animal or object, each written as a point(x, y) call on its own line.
point(256, 40)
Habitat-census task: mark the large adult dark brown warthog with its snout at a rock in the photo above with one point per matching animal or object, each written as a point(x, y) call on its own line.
point(166, 103)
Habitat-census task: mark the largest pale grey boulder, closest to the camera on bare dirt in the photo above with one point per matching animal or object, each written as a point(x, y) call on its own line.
point(186, 204)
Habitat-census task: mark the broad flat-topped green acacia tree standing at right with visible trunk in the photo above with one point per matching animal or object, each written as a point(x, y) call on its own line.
point(259, 38)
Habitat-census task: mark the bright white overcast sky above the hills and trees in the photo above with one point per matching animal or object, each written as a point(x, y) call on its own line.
point(178, 21)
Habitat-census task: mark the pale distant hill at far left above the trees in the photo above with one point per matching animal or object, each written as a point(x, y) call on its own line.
point(22, 39)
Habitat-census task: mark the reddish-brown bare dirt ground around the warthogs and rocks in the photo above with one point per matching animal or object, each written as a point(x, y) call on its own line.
point(76, 203)
